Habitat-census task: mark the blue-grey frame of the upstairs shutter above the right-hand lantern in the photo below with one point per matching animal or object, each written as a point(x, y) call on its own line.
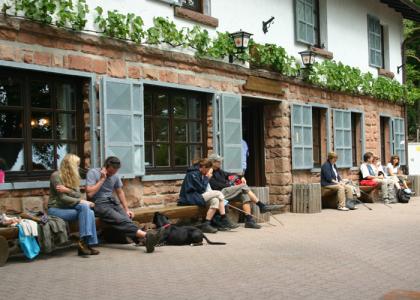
point(315, 27)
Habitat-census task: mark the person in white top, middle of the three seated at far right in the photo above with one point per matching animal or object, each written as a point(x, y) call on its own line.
point(368, 177)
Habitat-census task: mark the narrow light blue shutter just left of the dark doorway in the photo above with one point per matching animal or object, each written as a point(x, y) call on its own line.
point(230, 125)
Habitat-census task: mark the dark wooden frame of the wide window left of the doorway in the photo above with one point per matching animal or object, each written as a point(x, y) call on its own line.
point(172, 92)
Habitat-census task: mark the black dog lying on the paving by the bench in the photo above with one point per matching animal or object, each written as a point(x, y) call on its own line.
point(180, 235)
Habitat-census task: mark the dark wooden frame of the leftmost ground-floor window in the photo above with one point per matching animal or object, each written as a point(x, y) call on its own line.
point(26, 76)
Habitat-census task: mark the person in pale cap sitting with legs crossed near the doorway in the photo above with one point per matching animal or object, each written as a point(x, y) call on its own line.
point(220, 182)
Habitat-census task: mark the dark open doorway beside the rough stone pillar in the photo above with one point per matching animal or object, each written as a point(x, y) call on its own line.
point(253, 135)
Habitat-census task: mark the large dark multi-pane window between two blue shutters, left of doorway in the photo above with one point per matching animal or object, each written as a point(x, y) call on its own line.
point(175, 128)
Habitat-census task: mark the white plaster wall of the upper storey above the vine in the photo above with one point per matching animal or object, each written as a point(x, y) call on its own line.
point(343, 24)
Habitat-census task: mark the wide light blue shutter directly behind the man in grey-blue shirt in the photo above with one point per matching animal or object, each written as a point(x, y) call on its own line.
point(122, 124)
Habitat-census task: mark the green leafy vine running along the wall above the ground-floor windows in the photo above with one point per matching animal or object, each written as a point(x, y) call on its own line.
point(327, 74)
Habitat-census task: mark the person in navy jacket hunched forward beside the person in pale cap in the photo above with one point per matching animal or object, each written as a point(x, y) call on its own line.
point(195, 190)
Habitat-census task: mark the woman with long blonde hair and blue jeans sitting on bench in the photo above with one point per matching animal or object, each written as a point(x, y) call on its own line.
point(66, 203)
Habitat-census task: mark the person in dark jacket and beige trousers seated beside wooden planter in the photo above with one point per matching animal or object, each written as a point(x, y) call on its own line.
point(331, 182)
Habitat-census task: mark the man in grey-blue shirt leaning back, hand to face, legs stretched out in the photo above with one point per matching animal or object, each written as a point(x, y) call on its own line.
point(101, 183)
